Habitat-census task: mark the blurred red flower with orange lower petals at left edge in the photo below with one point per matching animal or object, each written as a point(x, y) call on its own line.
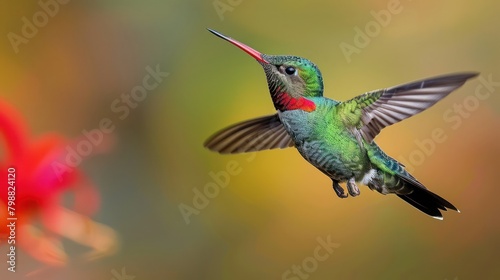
point(42, 191)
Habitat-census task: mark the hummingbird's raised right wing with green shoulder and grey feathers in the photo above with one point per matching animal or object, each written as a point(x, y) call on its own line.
point(369, 113)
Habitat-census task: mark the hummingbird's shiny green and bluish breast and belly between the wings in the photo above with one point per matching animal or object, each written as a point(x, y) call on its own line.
point(323, 140)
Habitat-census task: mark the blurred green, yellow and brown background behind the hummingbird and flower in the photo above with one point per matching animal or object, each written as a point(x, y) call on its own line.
point(269, 216)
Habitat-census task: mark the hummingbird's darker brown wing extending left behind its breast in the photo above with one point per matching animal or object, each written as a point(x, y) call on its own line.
point(258, 134)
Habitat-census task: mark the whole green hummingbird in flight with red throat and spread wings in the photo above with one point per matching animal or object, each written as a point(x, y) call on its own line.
point(337, 137)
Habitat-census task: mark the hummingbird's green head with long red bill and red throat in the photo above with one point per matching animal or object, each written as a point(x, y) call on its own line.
point(292, 80)
